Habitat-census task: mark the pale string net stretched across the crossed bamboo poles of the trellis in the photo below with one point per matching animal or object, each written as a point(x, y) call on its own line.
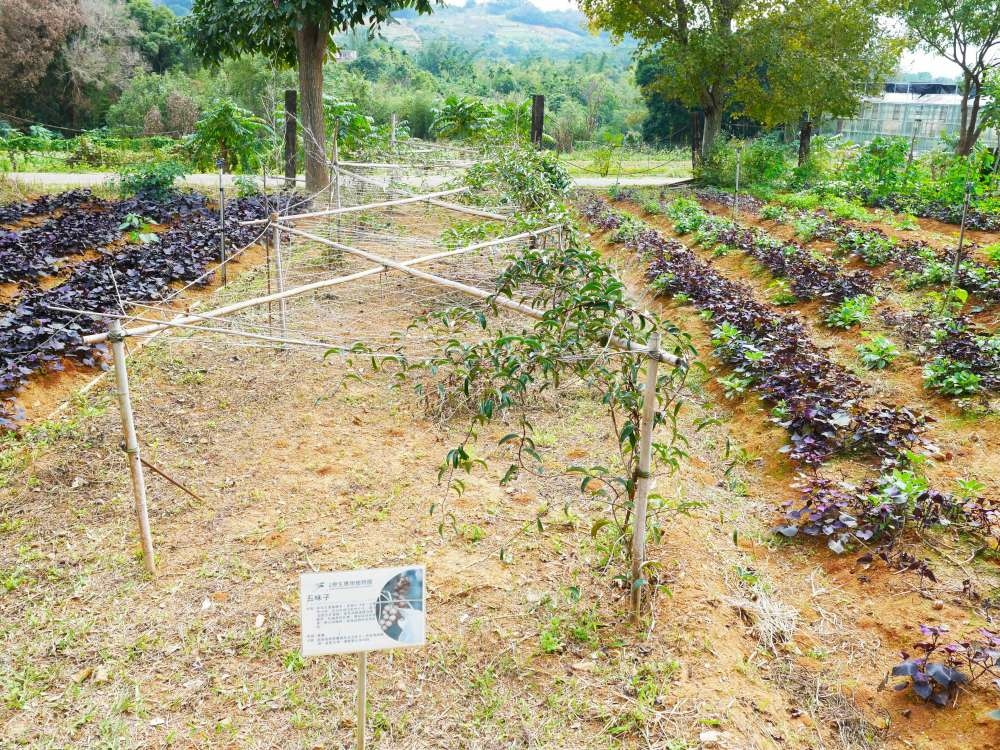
point(373, 312)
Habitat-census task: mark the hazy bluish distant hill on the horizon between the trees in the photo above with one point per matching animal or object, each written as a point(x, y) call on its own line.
point(512, 29)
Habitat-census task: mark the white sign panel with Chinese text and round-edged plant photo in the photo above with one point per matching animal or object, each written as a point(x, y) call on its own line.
point(362, 610)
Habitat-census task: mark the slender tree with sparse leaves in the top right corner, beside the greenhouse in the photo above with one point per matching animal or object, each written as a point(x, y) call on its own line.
point(966, 32)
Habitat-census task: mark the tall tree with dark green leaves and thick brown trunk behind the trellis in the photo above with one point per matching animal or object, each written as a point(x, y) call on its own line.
point(293, 32)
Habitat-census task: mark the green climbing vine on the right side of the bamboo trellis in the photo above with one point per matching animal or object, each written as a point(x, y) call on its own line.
point(499, 373)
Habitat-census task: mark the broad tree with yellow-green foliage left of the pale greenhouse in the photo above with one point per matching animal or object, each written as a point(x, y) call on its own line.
point(710, 54)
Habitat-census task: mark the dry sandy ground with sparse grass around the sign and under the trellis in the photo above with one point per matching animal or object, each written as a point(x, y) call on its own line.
point(298, 462)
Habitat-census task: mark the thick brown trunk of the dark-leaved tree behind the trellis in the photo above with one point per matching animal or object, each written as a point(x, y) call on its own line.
point(311, 43)
